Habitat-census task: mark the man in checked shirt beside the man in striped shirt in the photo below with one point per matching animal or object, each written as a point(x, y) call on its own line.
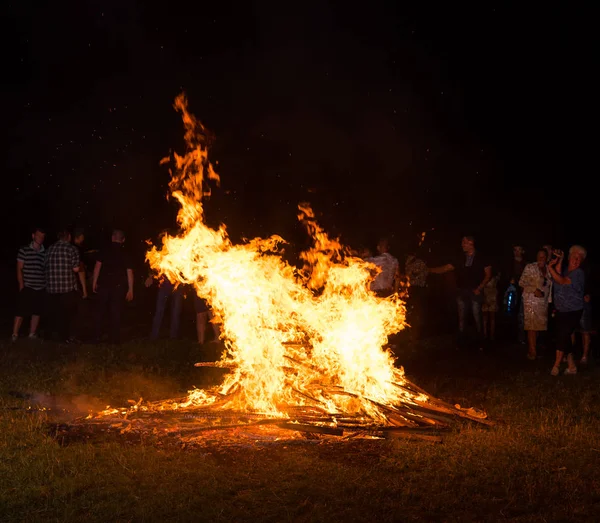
point(62, 266)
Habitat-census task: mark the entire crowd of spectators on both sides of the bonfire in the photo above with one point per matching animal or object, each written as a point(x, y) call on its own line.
point(548, 300)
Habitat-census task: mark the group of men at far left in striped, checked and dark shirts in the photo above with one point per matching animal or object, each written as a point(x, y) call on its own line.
point(53, 282)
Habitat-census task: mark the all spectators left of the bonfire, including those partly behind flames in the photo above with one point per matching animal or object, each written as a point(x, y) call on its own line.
point(54, 283)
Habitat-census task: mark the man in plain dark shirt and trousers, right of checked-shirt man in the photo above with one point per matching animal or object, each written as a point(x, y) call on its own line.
point(113, 283)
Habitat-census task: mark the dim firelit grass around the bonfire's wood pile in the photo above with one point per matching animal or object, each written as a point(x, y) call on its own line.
point(540, 463)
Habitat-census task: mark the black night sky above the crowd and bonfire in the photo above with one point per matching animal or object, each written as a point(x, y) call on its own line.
point(389, 119)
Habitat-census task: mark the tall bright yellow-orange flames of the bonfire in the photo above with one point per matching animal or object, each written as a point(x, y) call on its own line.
point(291, 337)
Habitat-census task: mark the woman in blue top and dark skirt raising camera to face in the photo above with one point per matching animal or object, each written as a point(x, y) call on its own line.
point(569, 288)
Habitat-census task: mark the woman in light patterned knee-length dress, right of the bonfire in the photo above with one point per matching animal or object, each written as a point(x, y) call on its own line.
point(537, 288)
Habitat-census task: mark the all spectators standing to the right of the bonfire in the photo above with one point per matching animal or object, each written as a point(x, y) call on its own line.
point(546, 301)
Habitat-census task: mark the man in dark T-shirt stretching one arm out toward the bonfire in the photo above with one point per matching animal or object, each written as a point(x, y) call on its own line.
point(473, 272)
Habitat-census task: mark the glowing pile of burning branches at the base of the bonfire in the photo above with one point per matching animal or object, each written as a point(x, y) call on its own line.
point(418, 416)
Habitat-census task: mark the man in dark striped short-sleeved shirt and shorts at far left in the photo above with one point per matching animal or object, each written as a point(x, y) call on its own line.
point(31, 276)
